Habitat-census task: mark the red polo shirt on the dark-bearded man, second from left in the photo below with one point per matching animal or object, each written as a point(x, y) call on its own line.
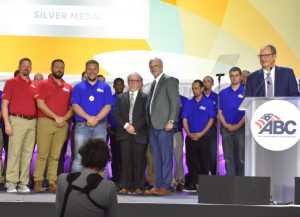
point(57, 97)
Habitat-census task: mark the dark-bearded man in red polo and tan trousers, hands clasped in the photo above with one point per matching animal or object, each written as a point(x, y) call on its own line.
point(54, 111)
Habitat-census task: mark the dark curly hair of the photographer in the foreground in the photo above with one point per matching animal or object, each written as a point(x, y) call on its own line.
point(94, 153)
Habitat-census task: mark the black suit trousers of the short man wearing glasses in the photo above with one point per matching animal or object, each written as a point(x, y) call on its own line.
point(133, 157)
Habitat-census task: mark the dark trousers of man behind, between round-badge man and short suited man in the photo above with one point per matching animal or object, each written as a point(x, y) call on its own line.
point(116, 162)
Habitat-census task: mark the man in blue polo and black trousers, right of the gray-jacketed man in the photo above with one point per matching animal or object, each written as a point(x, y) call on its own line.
point(198, 117)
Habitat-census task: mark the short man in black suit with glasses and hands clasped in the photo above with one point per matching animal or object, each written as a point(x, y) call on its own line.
point(132, 132)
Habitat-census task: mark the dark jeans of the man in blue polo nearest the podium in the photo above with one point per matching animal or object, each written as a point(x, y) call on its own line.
point(234, 151)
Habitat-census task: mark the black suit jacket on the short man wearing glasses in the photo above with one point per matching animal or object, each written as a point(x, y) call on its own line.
point(121, 115)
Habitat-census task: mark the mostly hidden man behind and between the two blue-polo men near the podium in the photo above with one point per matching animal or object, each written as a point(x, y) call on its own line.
point(208, 82)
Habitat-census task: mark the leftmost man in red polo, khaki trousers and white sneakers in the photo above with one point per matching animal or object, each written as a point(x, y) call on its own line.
point(19, 115)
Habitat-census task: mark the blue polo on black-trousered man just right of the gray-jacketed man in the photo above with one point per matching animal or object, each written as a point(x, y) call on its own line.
point(198, 113)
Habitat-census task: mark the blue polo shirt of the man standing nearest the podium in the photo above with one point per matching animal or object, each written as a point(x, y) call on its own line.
point(230, 101)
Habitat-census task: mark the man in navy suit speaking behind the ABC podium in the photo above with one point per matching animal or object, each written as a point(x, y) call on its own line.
point(271, 80)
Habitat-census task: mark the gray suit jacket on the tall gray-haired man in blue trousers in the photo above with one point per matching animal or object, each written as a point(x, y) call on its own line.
point(165, 104)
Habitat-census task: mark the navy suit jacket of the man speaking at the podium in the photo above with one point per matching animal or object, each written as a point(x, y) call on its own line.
point(285, 83)
